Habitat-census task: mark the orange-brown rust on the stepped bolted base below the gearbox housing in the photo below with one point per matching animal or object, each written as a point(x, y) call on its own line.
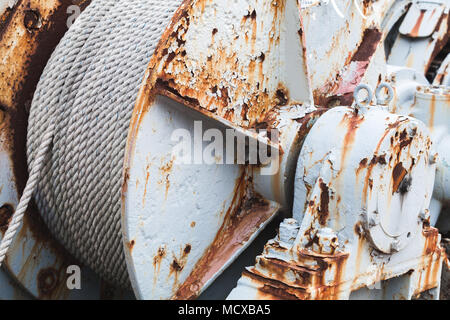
point(270, 276)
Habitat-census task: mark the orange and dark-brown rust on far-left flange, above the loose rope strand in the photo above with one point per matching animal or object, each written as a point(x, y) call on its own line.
point(30, 32)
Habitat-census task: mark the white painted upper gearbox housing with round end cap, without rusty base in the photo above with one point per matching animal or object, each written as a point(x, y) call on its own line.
point(337, 160)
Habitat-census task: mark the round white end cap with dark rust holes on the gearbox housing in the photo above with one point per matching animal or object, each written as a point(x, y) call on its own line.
point(401, 184)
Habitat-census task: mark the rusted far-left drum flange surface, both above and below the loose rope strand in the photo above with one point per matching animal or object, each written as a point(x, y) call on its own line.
point(29, 32)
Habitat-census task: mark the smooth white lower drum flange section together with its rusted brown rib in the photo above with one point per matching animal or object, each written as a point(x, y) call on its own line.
point(183, 223)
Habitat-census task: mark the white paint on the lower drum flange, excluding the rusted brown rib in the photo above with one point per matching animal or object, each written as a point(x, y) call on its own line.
point(170, 206)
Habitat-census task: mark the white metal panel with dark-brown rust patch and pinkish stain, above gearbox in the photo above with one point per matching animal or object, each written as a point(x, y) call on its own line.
point(348, 51)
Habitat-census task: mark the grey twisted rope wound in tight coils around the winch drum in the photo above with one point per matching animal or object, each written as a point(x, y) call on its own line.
point(88, 90)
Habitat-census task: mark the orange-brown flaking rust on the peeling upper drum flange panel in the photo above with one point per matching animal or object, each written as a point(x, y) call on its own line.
point(171, 55)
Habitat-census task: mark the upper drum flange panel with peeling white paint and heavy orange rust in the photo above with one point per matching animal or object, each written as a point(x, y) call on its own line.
point(233, 85)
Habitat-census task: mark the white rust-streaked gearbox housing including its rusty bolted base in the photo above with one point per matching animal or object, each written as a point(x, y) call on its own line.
point(350, 204)
